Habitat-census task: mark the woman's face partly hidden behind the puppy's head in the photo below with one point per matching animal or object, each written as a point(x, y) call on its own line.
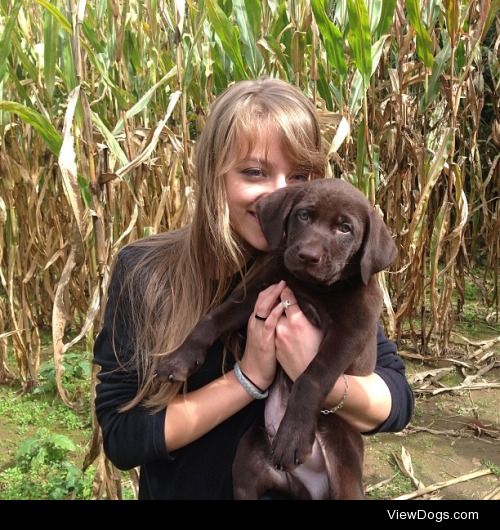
point(252, 176)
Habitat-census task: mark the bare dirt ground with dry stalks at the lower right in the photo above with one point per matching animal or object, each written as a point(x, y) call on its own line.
point(474, 416)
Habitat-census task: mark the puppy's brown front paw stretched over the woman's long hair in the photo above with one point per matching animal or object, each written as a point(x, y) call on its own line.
point(181, 363)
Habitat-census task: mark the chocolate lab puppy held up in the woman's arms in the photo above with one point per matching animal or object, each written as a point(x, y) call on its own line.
point(326, 241)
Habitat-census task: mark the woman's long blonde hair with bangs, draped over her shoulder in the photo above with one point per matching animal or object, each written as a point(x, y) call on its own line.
point(179, 276)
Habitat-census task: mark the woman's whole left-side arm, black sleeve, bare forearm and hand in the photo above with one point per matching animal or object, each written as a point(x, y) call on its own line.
point(137, 436)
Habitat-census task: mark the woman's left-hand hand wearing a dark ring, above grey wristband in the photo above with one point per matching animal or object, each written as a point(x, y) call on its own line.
point(259, 359)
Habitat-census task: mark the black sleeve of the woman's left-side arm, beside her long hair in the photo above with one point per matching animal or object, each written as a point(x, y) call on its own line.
point(137, 436)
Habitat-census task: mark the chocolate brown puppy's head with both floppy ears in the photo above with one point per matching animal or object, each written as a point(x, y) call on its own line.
point(327, 230)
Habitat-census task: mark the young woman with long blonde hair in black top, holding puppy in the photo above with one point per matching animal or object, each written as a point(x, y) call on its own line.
point(259, 136)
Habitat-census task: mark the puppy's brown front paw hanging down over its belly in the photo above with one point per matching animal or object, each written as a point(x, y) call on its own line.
point(291, 446)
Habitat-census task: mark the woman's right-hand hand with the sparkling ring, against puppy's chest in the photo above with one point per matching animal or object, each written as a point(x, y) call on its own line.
point(297, 340)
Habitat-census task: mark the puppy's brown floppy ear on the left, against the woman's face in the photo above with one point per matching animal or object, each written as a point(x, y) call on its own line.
point(273, 211)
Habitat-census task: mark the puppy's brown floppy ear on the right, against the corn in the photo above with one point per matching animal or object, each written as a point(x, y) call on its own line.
point(379, 250)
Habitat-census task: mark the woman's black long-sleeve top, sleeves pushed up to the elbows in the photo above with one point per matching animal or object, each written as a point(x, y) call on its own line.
point(201, 469)
